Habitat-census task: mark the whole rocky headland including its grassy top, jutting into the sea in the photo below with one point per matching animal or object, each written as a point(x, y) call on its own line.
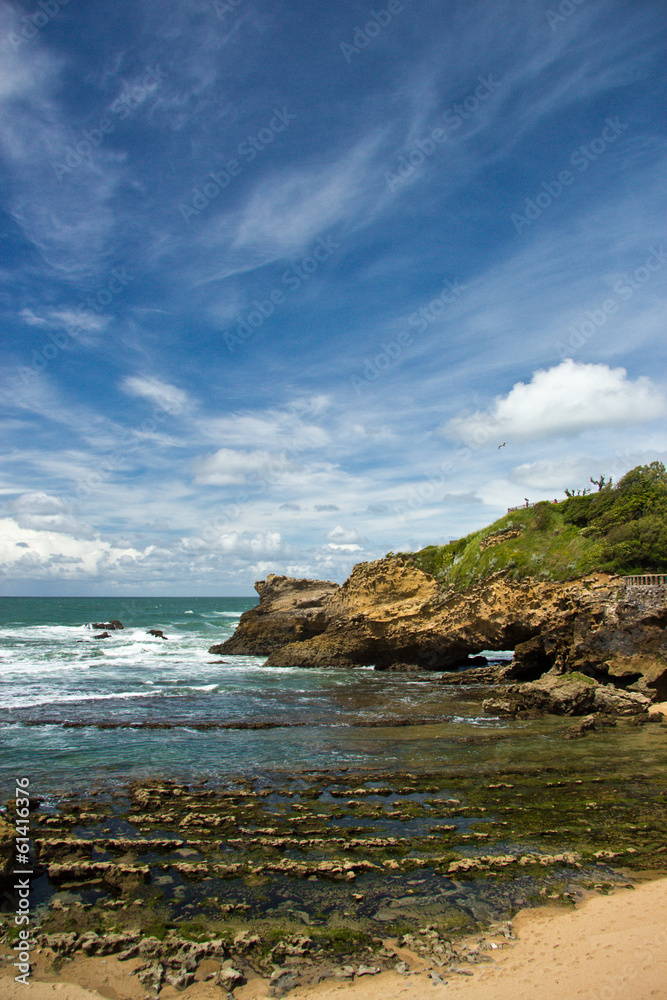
point(574, 589)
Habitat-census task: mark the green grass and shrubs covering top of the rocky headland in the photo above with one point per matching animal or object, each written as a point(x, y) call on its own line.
point(621, 528)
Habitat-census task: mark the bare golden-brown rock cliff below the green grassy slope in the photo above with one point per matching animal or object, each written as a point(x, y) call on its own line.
point(391, 614)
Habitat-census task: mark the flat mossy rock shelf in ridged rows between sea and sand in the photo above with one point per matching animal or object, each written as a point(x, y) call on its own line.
point(260, 887)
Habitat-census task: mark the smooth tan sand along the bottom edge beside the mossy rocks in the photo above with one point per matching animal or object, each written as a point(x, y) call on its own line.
point(610, 948)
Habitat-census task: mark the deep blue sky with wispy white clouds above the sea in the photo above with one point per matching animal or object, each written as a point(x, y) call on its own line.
point(278, 280)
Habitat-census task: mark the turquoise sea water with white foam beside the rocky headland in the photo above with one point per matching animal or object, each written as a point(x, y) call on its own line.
point(78, 712)
